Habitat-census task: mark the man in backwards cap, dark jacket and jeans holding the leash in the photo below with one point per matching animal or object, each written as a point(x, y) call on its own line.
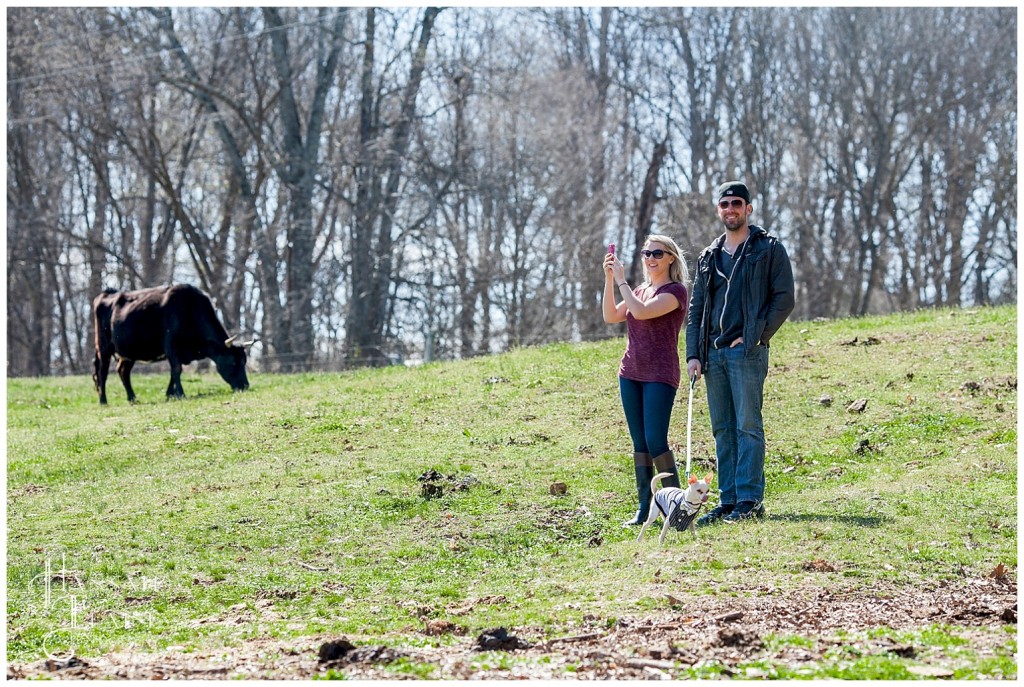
point(743, 293)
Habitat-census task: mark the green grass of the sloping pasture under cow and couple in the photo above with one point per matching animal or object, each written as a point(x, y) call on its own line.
point(294, 509)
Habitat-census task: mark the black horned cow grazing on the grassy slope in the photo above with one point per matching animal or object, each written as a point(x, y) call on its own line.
point(177, 323)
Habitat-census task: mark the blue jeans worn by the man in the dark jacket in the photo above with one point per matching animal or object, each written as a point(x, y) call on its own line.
point(736, 394)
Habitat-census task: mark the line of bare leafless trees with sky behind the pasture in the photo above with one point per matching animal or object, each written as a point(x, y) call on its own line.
point(362, 187)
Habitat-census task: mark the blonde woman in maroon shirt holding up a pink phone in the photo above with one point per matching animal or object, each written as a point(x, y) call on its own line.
point(649, 376)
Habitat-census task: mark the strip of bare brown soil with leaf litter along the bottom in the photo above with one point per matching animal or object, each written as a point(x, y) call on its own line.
point(693, 631)
